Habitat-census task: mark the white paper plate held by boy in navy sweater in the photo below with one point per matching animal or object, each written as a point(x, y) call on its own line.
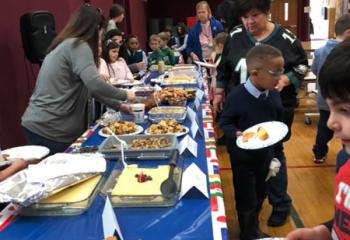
point(276, 130)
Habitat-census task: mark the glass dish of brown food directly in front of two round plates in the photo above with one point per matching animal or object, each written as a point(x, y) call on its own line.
point(141, 147)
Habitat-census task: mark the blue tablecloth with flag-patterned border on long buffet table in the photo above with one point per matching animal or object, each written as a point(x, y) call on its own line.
point(190, 218)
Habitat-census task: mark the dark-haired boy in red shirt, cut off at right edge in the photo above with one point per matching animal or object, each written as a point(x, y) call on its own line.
point(335, 88)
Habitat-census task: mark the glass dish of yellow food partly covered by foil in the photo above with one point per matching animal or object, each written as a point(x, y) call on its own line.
point(59, 205)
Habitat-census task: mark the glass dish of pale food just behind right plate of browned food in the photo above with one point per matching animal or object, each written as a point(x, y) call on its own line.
point(164, 112)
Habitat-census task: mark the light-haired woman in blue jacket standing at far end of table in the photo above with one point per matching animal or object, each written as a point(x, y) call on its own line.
point(200, 38)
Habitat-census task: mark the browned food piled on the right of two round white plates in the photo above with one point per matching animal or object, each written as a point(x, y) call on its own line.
point(166, 126)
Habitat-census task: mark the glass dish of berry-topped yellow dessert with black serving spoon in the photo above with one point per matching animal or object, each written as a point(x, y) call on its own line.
point(139, 184)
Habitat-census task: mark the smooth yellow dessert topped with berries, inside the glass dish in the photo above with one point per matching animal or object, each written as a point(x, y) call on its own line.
point(128, 184)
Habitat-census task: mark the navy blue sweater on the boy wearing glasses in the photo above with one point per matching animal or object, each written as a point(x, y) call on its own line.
point(242, 110)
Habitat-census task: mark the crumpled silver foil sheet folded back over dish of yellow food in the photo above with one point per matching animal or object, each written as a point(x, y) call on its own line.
point(45, 178)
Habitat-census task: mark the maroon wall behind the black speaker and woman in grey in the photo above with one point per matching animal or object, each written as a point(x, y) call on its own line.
point(17, 74)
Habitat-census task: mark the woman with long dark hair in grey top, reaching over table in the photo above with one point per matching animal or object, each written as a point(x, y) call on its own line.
point(57, 110)
